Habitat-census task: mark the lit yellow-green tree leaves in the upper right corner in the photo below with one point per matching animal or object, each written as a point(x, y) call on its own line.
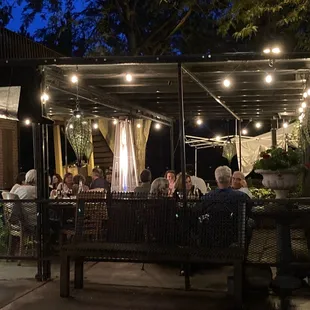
point(281, 19)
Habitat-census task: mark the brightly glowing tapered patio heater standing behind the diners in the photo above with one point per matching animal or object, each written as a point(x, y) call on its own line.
point(124, 174)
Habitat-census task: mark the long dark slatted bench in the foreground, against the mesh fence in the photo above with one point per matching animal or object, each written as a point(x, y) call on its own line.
point(146, 231)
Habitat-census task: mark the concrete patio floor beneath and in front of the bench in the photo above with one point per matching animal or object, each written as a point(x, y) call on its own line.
point(125, 286)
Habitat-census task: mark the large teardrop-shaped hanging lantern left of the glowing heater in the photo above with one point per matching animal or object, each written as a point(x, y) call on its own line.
point(79, 132)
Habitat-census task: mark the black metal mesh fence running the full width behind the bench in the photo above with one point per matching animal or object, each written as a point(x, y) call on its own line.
point(277, 231)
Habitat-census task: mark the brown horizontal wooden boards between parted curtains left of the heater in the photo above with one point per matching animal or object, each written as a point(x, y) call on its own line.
point(103, 155)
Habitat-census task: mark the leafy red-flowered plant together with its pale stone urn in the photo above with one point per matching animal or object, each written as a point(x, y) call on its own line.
point(280, 169)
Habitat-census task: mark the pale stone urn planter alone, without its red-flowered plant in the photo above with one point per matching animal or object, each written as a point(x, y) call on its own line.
point(281, 181)
